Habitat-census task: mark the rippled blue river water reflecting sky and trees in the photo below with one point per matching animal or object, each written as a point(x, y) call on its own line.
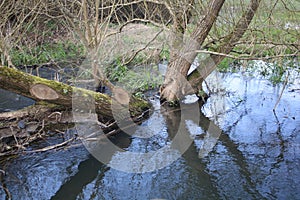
point(240, 149)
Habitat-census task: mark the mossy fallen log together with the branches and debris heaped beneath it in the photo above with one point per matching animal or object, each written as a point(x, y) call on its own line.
point(54, 109)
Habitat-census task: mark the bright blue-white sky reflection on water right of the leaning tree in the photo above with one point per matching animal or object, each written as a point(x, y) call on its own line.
point(269, 143)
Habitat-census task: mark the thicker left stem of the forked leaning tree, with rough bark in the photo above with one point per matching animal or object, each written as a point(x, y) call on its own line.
point(184, 53)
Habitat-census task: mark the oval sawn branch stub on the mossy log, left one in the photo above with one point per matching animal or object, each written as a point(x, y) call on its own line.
point(43, 92)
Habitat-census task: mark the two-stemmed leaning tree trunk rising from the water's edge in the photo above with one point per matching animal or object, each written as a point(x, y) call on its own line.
point(177, 84)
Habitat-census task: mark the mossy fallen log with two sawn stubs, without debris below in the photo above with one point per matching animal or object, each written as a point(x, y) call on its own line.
point(53, 92)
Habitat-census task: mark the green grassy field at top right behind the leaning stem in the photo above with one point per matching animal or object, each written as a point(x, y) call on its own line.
point(274, 30)
